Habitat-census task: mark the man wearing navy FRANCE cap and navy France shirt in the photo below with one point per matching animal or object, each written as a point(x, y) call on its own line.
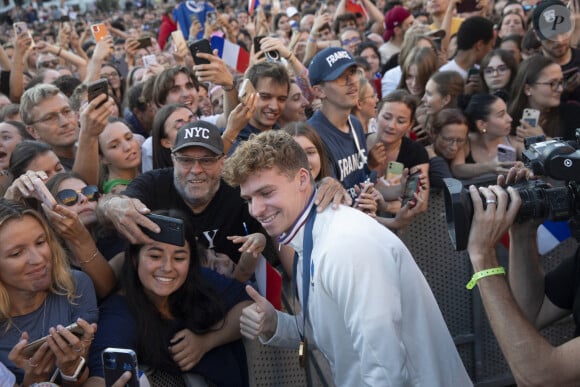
point(335, 80)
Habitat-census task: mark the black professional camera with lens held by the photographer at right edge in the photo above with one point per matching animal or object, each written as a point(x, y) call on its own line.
point(557, 159)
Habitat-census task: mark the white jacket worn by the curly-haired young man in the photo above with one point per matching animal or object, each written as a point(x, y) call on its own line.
point(372, 312)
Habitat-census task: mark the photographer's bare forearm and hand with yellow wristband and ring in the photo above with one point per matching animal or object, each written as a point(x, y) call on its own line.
point(533, 361)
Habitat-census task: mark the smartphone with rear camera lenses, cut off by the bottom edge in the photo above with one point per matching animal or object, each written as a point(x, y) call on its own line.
point(118, 360)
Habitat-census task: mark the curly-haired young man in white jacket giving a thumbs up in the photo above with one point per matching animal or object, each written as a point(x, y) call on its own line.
point(369, 308)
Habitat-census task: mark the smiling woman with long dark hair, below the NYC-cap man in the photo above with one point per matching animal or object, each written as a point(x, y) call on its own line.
point(182, 320)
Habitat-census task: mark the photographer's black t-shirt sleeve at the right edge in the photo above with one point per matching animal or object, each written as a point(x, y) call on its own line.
point(562, 286)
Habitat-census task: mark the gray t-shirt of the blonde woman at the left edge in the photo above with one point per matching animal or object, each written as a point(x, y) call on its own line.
point(58, 310)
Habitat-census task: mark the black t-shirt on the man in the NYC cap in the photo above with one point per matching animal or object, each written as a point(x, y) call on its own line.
point(224, 216)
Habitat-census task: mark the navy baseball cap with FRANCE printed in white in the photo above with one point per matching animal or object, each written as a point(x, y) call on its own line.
point(329, 64)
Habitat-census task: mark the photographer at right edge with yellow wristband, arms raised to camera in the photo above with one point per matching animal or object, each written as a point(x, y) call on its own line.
point(535, 300)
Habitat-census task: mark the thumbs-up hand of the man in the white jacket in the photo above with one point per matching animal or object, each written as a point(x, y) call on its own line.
point(259, 319)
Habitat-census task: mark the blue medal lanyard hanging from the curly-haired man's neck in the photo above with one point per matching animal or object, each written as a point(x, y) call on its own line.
point(306, 267)
